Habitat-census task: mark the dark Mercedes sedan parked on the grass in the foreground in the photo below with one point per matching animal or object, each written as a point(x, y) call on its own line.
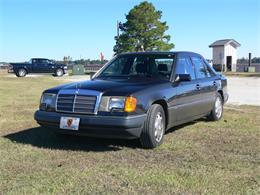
point(137, 95)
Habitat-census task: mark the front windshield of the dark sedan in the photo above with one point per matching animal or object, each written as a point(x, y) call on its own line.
point(157, 65)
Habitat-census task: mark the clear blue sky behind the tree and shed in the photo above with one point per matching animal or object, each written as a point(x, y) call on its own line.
point(84, 28)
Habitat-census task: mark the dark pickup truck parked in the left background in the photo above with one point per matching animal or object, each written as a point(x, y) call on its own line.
point(38, 65)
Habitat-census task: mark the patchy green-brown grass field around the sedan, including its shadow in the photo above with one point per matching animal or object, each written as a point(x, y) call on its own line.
point(200, 157)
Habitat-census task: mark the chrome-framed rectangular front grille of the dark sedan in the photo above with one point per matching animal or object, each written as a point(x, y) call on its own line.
point(74, 103)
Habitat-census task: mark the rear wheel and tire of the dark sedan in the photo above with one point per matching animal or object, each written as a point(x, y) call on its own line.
point(217, 111)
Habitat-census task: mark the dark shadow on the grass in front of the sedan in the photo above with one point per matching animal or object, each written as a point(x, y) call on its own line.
point(49, 139)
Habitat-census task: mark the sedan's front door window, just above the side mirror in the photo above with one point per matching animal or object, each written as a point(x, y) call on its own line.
point(184, 66)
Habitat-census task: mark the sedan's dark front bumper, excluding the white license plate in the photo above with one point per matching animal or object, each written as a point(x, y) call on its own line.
point(126, 127)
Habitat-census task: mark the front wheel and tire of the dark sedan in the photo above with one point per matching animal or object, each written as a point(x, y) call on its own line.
point(154, 127)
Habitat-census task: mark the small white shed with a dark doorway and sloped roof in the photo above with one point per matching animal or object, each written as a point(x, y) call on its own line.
point(225, 54)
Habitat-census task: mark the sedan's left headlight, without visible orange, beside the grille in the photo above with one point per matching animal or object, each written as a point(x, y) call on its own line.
point(48, 102)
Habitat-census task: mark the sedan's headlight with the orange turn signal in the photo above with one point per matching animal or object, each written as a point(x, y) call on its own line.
point(118, 103)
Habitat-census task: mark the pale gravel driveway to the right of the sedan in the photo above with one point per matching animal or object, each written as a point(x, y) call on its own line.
point(244, 90)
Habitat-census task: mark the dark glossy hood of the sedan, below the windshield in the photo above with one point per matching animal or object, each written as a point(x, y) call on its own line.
point(113, 87)
